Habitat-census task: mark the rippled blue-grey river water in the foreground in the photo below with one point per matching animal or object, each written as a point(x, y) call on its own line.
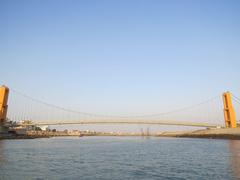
point(119, 158)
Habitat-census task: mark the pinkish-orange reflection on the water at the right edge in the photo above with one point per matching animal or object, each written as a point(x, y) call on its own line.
point(234, 146)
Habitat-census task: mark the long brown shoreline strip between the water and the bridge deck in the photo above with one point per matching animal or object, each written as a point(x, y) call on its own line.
point(217, 133)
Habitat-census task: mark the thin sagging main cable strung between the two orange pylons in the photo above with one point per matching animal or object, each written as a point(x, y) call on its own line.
point(113, 116)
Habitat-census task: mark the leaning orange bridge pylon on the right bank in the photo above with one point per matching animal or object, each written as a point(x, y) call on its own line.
point(229, 113)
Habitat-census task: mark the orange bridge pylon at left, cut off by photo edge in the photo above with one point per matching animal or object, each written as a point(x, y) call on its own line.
point(4, 91)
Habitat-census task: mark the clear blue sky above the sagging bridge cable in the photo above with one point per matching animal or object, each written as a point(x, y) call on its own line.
point(117, 57)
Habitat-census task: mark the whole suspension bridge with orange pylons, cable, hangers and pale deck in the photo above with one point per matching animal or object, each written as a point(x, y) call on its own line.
point(214, 112)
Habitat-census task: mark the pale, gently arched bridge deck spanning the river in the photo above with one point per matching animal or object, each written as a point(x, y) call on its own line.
point(150, 122)
